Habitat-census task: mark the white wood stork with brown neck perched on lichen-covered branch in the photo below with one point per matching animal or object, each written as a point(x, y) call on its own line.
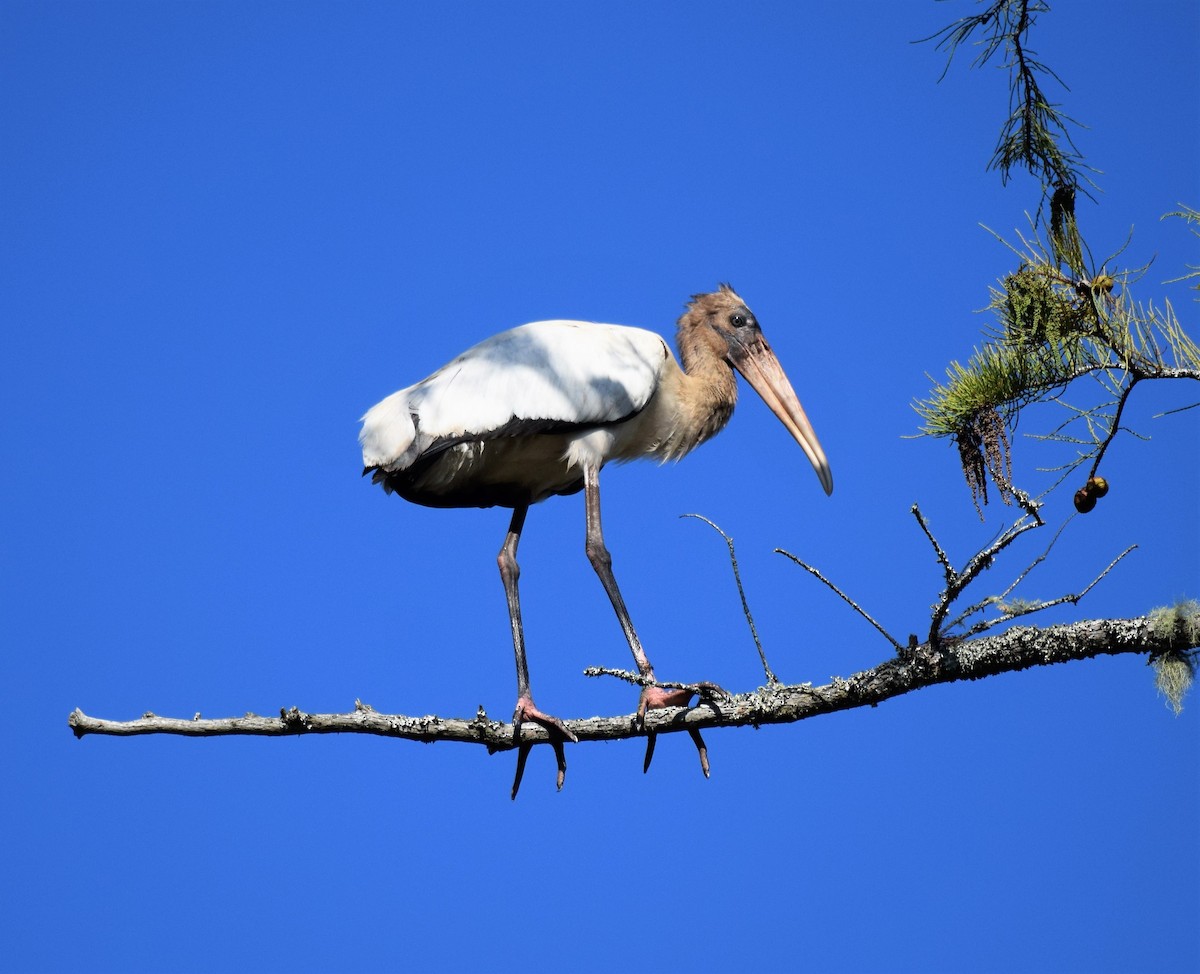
point(541, 410)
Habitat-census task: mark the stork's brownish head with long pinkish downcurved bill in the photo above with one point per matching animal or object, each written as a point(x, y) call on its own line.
point(728, 328)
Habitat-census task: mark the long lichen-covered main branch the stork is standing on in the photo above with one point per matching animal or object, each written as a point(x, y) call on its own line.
point(1018, 648)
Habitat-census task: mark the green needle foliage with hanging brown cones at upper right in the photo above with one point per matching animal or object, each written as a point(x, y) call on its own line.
point(1059, 318)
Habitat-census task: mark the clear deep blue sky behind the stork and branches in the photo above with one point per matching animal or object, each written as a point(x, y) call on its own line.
point(231, 229)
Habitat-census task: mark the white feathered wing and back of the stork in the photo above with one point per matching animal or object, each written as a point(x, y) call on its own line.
point(569, 372)
